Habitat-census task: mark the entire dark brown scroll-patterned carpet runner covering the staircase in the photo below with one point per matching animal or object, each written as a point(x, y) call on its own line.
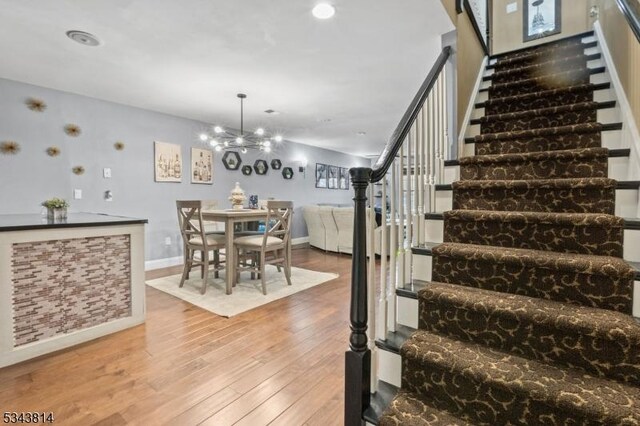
point(528, 318)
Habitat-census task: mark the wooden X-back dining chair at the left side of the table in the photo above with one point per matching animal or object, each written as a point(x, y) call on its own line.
point(196, 239)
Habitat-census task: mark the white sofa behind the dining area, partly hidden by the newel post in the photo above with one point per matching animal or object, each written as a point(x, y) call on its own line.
point(331, 229)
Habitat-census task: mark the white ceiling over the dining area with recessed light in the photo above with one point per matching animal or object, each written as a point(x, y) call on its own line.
point(329, 80)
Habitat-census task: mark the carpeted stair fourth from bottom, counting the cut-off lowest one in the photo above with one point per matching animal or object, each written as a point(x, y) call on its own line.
point(597, 281)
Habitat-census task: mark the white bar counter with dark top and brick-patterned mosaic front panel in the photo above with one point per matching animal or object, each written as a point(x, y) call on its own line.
point(63, 283)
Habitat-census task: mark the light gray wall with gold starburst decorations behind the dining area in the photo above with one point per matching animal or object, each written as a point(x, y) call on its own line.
point(32, 176)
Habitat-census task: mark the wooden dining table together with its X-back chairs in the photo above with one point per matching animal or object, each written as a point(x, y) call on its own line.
point(238, 247)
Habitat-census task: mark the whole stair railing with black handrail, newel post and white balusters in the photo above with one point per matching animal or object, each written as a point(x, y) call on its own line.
point(415, 154)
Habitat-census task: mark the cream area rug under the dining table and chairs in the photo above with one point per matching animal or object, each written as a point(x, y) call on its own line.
point(247, 294)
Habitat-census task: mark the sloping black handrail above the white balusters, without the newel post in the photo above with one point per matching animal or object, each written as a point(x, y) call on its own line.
point(388, 155)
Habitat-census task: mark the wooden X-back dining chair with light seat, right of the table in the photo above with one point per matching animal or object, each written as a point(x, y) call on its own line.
point(271, 248)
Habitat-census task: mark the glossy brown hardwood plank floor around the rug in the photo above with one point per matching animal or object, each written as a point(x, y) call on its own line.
point(280, 364)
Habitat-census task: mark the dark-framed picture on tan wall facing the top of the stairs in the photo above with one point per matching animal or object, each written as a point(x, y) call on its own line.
point(541, 18)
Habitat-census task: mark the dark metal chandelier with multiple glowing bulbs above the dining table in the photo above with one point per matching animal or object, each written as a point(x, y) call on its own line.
point(224, 140)
